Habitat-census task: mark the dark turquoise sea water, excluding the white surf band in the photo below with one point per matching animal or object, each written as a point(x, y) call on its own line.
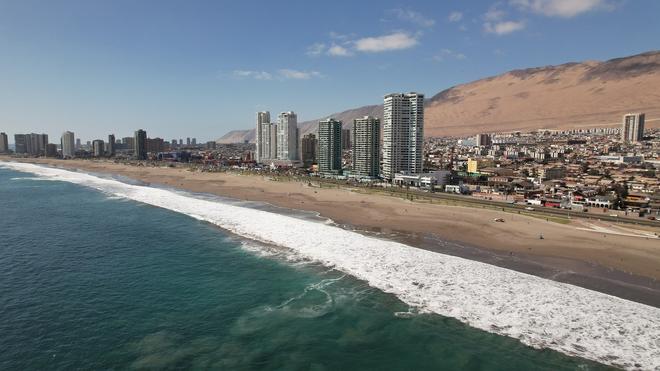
point(92, 282)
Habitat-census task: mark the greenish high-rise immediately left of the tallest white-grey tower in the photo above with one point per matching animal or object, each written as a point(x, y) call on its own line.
point(366, 147)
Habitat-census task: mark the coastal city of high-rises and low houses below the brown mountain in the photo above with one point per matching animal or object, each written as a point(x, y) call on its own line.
point(608, 170)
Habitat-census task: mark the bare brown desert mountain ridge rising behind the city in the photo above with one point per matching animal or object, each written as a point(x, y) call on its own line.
point(566, 96)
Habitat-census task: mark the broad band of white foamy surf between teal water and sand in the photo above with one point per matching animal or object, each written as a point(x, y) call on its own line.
point(539, 312)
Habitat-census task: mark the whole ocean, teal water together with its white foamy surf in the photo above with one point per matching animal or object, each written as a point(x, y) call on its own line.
point(96, 273)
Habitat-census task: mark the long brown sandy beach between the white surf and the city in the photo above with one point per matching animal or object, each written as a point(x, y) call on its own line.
point(610, 258)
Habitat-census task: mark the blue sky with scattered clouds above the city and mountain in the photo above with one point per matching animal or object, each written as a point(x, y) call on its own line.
point(197, 68)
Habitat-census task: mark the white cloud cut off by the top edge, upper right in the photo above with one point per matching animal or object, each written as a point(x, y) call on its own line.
point(560, 8)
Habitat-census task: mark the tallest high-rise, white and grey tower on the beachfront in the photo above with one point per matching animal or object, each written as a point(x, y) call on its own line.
point(403, 134)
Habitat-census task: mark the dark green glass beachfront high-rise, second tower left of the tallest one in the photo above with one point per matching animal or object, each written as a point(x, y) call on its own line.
point(329, 151)
